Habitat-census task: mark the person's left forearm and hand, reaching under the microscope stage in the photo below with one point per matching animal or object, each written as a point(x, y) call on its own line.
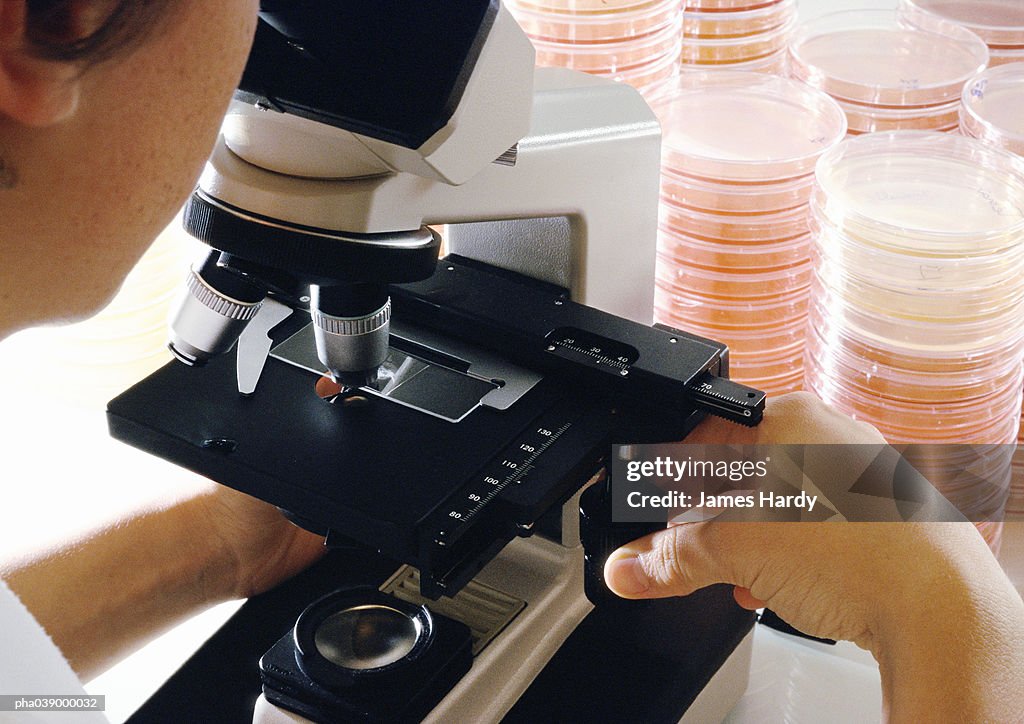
point(103, 598)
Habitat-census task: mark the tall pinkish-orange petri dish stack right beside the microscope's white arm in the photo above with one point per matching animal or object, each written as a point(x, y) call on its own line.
point(738, 163)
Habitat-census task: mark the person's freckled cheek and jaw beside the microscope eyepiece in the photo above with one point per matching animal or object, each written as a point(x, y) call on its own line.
point(96, 188)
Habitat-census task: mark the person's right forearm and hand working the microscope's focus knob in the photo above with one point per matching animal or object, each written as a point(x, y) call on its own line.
point(929, 601)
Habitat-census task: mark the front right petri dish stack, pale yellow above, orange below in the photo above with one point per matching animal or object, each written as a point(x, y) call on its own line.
point(917, 316)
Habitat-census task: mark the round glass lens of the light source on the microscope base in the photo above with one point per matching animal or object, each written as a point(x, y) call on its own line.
point(367, 637)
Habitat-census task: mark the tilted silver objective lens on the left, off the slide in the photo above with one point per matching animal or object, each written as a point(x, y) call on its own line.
point(207, 323)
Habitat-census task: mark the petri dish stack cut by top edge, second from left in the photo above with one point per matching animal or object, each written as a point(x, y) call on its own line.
point(739, 35)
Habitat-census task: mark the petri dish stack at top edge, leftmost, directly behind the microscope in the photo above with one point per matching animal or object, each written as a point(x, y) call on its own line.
point(633, 41)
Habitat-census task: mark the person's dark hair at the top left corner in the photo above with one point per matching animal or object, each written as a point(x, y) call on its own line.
point(56, 29)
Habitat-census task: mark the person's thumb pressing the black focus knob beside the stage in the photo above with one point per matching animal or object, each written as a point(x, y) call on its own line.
point(671, 563)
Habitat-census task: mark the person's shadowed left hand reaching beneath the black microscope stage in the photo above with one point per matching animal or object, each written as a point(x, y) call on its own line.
point(265, 548)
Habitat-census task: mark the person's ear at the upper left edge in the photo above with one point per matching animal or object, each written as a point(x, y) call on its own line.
point(33, 92)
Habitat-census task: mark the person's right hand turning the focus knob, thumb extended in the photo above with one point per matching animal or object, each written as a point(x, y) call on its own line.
point(831, 580)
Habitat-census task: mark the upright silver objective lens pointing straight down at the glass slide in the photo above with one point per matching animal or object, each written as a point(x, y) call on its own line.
point(353, 348)
